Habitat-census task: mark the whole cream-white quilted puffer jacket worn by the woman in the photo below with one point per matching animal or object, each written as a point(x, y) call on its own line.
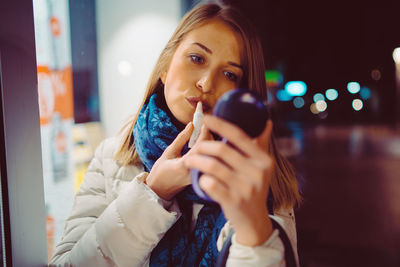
point(117, 220)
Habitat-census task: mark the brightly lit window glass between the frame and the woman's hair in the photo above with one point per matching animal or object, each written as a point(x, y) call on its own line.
point(76, 40)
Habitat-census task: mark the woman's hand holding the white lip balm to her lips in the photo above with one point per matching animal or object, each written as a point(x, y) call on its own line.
point(169, 174)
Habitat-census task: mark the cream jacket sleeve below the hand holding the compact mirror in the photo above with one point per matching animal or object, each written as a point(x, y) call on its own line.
point(270, 254)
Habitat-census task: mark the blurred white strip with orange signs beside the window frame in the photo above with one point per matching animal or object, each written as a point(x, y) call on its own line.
point(54, 69)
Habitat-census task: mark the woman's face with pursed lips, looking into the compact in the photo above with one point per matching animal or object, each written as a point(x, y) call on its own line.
point(205, 65)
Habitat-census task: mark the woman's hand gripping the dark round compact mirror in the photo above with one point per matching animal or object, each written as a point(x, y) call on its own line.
point(237, 178)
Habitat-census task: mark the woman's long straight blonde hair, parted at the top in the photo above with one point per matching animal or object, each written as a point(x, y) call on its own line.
point(284, 183)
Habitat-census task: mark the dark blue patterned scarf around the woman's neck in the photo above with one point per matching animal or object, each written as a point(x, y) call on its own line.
point(153, 133)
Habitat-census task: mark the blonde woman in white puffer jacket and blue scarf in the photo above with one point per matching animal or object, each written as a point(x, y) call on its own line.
point(136, 206)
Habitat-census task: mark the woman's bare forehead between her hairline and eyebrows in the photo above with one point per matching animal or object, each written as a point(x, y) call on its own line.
point(218, 37)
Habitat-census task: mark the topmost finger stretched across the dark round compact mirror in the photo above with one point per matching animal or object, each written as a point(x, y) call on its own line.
point(236, 136)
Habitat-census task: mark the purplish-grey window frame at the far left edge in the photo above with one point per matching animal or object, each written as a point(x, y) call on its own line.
point(24, 216)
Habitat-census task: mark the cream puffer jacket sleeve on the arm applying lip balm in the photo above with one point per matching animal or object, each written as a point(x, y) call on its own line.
point(113, 232)
